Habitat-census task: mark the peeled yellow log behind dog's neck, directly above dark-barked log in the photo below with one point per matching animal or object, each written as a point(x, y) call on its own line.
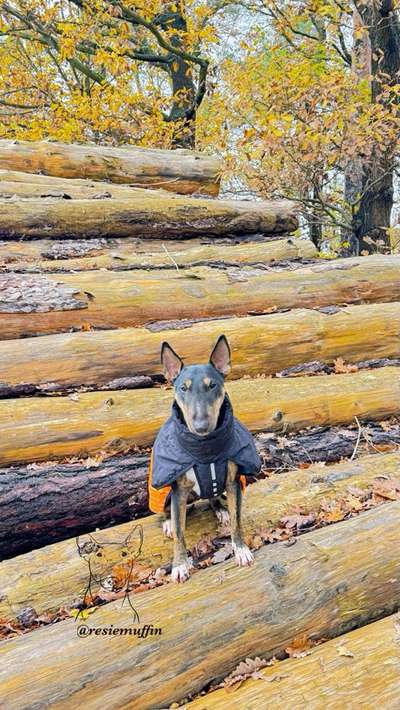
point(42, 429)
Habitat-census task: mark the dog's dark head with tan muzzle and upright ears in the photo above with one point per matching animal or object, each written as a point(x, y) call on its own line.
point(199, 389)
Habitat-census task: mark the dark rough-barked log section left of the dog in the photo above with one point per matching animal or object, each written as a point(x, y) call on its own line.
point(44, 504)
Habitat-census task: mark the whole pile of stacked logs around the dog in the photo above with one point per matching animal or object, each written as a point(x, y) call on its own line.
point(105, 253)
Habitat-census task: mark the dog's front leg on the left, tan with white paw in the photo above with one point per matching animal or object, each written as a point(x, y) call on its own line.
point(179, 496)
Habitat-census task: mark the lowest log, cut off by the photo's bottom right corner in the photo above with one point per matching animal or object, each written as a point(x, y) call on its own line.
point(361, 669)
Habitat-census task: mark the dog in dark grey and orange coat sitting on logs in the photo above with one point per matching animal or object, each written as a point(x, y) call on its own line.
point(201, 452)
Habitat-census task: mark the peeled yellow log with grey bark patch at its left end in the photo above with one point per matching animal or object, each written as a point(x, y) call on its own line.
point(34, 305)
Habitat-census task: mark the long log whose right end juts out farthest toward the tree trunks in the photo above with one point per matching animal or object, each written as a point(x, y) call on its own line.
point(156, 216)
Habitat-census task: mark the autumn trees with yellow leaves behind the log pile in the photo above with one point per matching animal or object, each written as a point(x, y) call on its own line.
point(300, 98)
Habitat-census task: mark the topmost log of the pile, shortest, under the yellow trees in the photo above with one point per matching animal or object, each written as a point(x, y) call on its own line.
point(183, 171)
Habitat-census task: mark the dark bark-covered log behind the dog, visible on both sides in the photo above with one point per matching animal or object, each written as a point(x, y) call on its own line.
point(54, 509)
